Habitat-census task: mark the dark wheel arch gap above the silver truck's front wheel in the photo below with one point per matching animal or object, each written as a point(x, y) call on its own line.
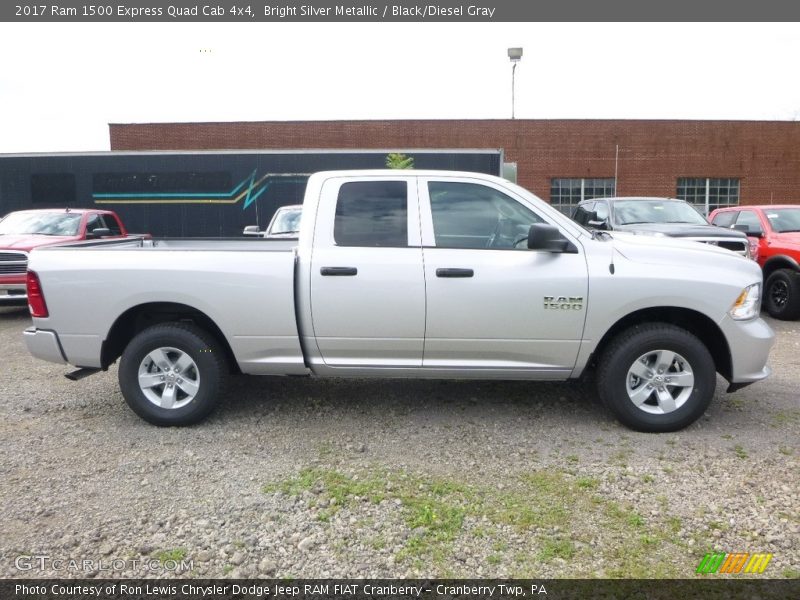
point(693, 321)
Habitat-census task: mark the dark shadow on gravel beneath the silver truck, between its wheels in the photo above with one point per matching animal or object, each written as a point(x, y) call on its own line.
point(432, 402)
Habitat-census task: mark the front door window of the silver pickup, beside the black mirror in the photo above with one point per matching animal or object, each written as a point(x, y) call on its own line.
point(467, 215)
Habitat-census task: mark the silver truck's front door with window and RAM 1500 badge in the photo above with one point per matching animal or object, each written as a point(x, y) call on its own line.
point(492, 304)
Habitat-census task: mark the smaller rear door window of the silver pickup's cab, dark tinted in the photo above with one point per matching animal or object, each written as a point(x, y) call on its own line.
point(372, 214)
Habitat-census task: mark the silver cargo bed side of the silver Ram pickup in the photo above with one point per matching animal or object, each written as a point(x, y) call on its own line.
point(245, 286)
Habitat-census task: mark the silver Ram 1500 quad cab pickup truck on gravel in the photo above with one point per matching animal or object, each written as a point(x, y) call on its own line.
point(407, 274)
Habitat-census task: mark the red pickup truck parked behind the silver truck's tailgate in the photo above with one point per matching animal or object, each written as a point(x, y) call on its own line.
point(24, 230)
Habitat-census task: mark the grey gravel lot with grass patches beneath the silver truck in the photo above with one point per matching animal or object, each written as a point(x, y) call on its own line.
point(307, 478)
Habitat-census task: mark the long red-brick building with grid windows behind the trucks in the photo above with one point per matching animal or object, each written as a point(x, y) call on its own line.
point(710, 163)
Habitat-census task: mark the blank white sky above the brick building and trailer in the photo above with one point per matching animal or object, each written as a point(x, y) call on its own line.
point(61, 84)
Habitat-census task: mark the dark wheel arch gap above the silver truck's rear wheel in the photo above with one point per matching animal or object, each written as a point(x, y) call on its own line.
point(140, 317)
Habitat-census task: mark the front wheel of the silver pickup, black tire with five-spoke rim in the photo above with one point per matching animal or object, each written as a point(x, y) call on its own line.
point(646, 349)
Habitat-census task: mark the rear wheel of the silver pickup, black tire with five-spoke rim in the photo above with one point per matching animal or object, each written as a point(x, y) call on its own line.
point(194, 370)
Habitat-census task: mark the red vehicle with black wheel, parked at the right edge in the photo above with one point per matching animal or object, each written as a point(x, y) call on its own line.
point(774, 231)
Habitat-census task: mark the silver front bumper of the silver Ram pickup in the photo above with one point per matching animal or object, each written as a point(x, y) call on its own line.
point(750, 343)
